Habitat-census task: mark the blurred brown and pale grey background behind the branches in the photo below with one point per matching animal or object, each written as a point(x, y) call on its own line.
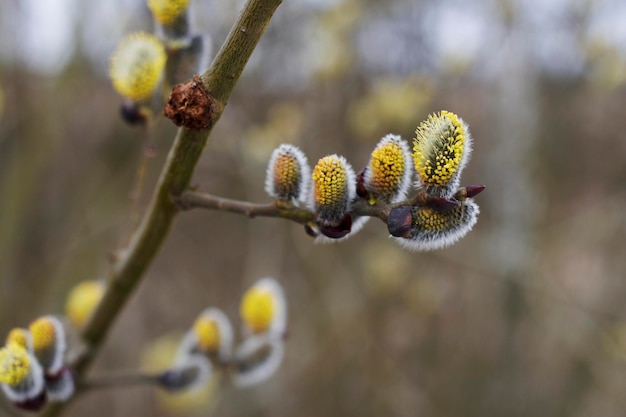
point(525, 316)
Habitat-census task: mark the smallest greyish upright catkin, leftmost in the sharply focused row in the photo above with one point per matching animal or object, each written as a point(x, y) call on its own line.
point(288, 174)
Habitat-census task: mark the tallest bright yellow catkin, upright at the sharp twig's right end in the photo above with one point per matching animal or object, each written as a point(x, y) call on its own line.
point(441, 149)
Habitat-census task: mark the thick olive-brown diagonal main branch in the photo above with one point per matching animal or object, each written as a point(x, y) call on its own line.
point(128, 271)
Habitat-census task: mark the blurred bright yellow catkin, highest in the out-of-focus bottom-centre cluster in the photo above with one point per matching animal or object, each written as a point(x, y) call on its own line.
point(263, 308)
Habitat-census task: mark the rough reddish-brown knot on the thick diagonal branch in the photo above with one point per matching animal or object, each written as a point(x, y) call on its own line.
point(190, 105)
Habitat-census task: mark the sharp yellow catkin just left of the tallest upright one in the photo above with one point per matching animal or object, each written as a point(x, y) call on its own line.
point(387, 176)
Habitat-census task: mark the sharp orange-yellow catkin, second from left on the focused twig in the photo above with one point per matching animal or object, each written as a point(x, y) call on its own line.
point(334, 188)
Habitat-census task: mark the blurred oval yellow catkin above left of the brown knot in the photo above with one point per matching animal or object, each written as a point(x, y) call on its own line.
point(136, 66)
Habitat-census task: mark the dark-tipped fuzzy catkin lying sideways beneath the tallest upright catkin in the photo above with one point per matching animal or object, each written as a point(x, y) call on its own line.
point(426, 228)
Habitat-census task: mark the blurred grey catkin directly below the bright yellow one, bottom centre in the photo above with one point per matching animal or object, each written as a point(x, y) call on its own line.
point(257, 358)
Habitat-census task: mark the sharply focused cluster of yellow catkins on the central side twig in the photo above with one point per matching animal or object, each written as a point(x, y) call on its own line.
point(444, 213)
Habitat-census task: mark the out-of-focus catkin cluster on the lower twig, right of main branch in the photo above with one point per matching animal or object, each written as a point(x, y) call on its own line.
point(209, 344)
